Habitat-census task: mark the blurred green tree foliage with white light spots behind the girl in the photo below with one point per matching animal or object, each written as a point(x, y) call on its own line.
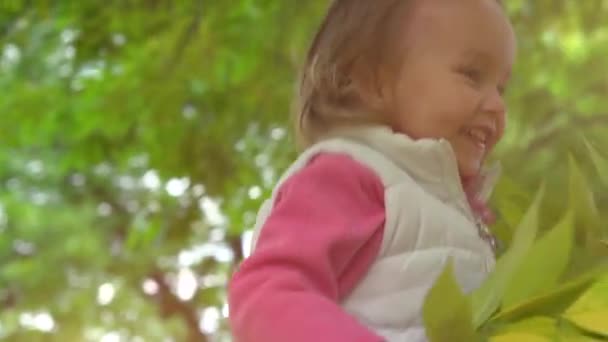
point(138, 137)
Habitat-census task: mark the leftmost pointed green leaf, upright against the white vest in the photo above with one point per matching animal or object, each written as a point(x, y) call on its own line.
point(447, 311)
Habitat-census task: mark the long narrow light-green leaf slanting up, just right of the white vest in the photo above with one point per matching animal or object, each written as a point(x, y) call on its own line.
point(488, 297)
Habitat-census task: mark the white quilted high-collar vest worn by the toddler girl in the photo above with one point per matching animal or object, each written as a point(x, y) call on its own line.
point(428, 220)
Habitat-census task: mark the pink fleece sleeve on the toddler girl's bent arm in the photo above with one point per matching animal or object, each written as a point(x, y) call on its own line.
point(321, 237)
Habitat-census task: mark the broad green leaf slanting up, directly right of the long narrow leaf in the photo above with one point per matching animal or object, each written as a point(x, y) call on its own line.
point(545, 263)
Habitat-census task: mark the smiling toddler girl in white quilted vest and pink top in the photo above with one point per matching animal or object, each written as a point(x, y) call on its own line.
point(401, 101)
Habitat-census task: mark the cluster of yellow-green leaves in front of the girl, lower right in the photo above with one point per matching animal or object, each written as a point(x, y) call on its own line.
point(539, 290)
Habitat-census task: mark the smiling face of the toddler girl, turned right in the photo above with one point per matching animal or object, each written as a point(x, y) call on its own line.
point(457, 62)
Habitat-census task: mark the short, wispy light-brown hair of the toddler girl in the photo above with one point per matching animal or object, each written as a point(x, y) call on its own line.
point(346, 63)
